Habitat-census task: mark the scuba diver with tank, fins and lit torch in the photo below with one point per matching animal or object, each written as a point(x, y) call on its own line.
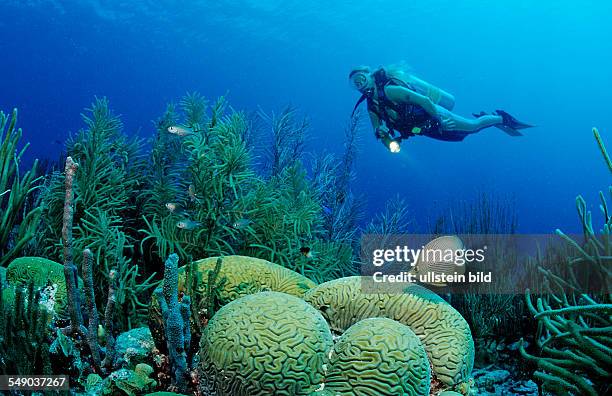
point(401, 103)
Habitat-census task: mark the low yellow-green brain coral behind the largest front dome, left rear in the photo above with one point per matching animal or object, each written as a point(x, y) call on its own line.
point(243, 276)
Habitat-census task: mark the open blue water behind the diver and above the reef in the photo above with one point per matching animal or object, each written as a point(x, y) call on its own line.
point(546, 62)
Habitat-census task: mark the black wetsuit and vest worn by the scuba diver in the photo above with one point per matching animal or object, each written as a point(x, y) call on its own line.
point(411, 119)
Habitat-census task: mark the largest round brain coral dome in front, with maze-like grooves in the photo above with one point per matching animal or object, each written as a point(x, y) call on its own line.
point(263, 344)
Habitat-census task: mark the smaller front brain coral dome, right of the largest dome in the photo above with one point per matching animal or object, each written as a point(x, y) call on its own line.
point(379, 357)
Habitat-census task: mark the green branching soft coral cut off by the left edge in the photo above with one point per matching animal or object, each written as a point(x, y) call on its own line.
point(19, 217)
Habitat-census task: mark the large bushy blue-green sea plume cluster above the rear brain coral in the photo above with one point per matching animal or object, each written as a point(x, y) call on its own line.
point(234, 206)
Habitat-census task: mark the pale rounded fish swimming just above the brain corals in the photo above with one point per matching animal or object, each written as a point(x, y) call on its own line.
point(438, 257)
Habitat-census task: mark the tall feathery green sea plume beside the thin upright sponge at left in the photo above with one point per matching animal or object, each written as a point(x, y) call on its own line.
point(105, 188)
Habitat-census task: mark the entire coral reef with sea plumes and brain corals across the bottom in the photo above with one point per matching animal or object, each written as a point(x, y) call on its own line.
point(191, 265)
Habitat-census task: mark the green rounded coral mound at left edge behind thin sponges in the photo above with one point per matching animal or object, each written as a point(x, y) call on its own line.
point(41, 272)
